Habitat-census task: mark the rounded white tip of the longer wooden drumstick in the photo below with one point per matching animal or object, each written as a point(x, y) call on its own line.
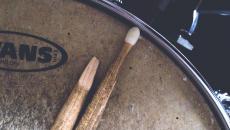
point(132, 35)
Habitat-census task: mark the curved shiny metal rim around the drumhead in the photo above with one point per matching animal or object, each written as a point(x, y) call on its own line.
point(201, 84)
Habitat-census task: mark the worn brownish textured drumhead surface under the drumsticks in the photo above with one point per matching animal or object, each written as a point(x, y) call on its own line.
point(151, 92)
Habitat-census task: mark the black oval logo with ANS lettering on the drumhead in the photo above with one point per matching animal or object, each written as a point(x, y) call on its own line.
point(23, 52)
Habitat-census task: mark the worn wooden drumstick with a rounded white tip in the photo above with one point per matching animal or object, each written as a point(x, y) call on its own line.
point(91, 118)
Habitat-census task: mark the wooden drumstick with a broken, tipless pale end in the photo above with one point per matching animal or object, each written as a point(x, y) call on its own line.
point(69, 113)
